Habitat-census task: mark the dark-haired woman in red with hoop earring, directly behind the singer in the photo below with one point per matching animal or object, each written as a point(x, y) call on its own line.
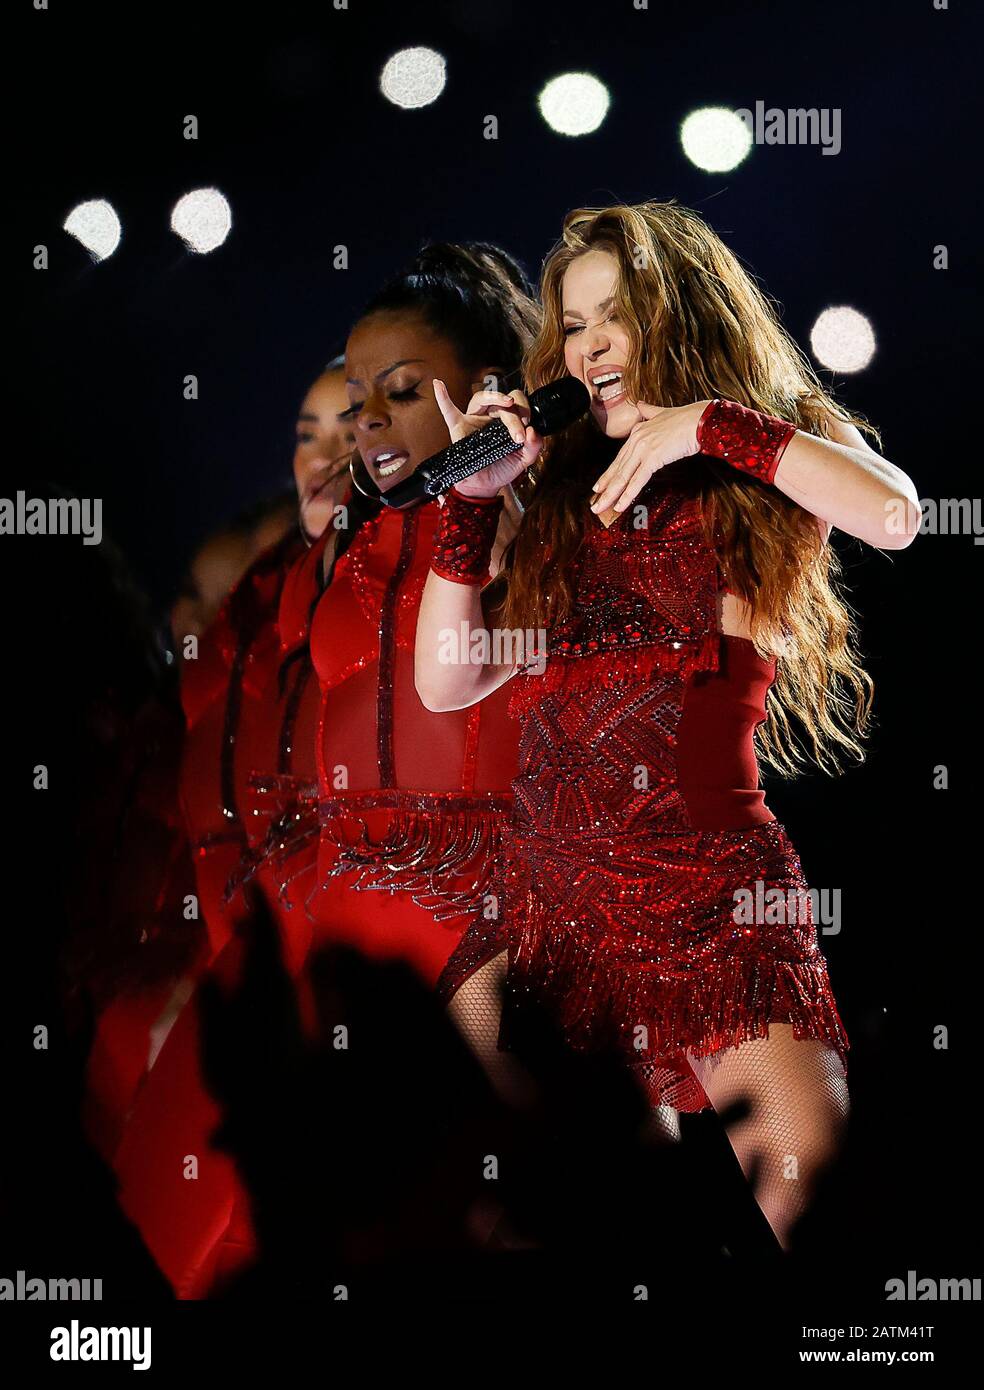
point(412, 804)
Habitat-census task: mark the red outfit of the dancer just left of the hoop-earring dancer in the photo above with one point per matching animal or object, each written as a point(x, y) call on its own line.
point(237, 712)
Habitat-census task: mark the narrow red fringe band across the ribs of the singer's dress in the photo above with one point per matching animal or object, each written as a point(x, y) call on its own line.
point(614, 668)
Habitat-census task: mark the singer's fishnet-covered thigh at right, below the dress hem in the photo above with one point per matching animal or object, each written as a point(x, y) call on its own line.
point(797, 1096)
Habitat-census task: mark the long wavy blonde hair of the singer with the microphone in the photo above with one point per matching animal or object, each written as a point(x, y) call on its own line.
point(701, 327)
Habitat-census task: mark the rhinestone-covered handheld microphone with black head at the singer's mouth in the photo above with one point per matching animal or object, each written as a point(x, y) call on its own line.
point(552, 408)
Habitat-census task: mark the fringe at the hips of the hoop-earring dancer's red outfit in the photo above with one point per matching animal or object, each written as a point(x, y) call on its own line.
point(427, 854)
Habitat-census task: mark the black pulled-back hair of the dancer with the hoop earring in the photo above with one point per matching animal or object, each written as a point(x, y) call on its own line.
point(475, 295)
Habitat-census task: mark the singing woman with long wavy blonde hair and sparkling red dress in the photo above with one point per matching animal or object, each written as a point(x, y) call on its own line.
point(676, 616)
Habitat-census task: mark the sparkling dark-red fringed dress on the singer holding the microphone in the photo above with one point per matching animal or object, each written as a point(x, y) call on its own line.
point(640, 818)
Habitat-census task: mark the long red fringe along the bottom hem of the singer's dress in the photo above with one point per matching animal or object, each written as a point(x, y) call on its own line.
point(597, 1001)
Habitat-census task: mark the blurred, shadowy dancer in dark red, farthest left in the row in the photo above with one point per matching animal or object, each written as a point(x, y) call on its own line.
point(188, 803)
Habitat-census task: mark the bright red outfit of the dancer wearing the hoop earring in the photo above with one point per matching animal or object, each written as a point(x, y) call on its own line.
point(412, 804)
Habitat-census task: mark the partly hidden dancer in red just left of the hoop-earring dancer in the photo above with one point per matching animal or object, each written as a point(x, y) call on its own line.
point(245, 719)
